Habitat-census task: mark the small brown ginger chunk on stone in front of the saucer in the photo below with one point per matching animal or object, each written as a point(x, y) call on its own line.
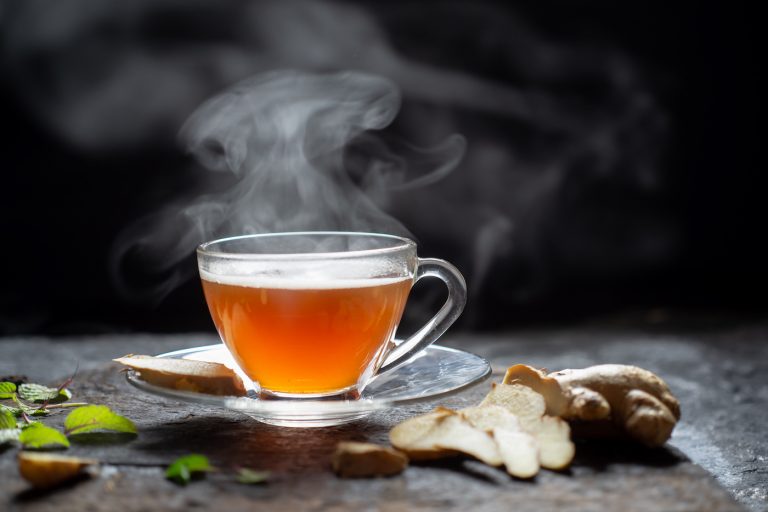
point(354, 460)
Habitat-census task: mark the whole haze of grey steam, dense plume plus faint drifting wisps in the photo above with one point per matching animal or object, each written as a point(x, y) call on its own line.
point(556, 126)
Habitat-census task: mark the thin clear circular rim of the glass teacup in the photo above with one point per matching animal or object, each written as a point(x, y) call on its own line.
point(405, 244)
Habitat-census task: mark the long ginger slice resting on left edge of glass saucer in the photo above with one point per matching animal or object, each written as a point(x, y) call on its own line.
point(186, 375)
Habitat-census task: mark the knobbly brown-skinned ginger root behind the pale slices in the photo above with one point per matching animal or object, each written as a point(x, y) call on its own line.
point(627, 399)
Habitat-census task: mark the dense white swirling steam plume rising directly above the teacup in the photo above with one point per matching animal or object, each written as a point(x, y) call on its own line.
point(283, 135)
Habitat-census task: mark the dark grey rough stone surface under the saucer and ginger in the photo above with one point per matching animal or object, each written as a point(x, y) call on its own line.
point(719, 374)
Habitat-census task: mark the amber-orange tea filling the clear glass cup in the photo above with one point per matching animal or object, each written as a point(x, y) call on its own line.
point(311, 337)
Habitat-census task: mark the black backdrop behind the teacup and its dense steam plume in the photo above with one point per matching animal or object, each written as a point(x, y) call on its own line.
point(668, 214)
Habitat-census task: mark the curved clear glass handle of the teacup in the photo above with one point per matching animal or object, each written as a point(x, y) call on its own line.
point(438, 324)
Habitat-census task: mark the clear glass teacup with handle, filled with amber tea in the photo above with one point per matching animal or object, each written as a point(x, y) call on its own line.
point(313, 315)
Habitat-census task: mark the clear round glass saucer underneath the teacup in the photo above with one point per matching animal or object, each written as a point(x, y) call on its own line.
point(436, 371)
